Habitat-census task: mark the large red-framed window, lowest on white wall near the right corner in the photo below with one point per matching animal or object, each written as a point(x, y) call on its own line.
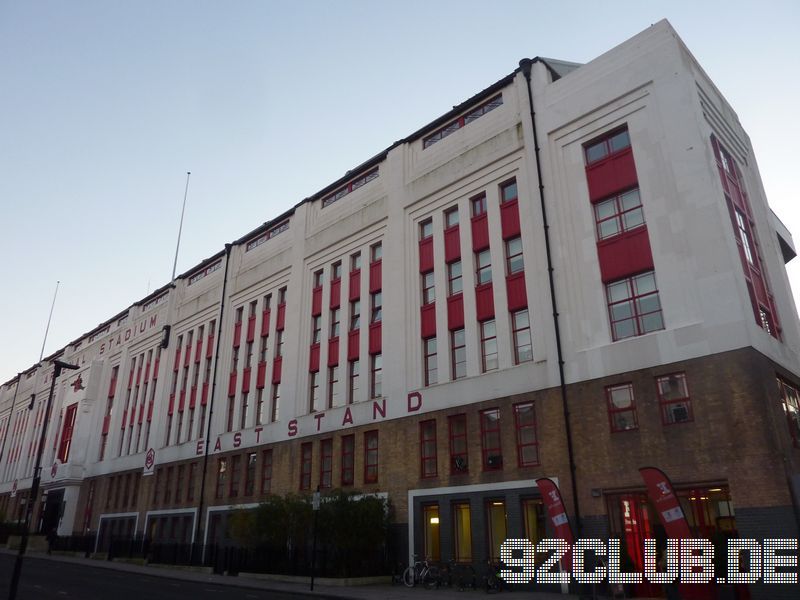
point(633, 306)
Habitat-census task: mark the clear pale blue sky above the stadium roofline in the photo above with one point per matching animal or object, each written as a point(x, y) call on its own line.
point(105, 105)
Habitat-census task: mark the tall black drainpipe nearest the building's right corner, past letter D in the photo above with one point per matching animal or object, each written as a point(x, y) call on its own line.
point(525, 66)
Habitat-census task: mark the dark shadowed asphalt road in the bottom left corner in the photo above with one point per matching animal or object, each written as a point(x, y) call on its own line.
point(51, 580)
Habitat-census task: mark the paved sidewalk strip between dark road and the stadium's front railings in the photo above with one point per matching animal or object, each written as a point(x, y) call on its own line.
point(367, 592)
